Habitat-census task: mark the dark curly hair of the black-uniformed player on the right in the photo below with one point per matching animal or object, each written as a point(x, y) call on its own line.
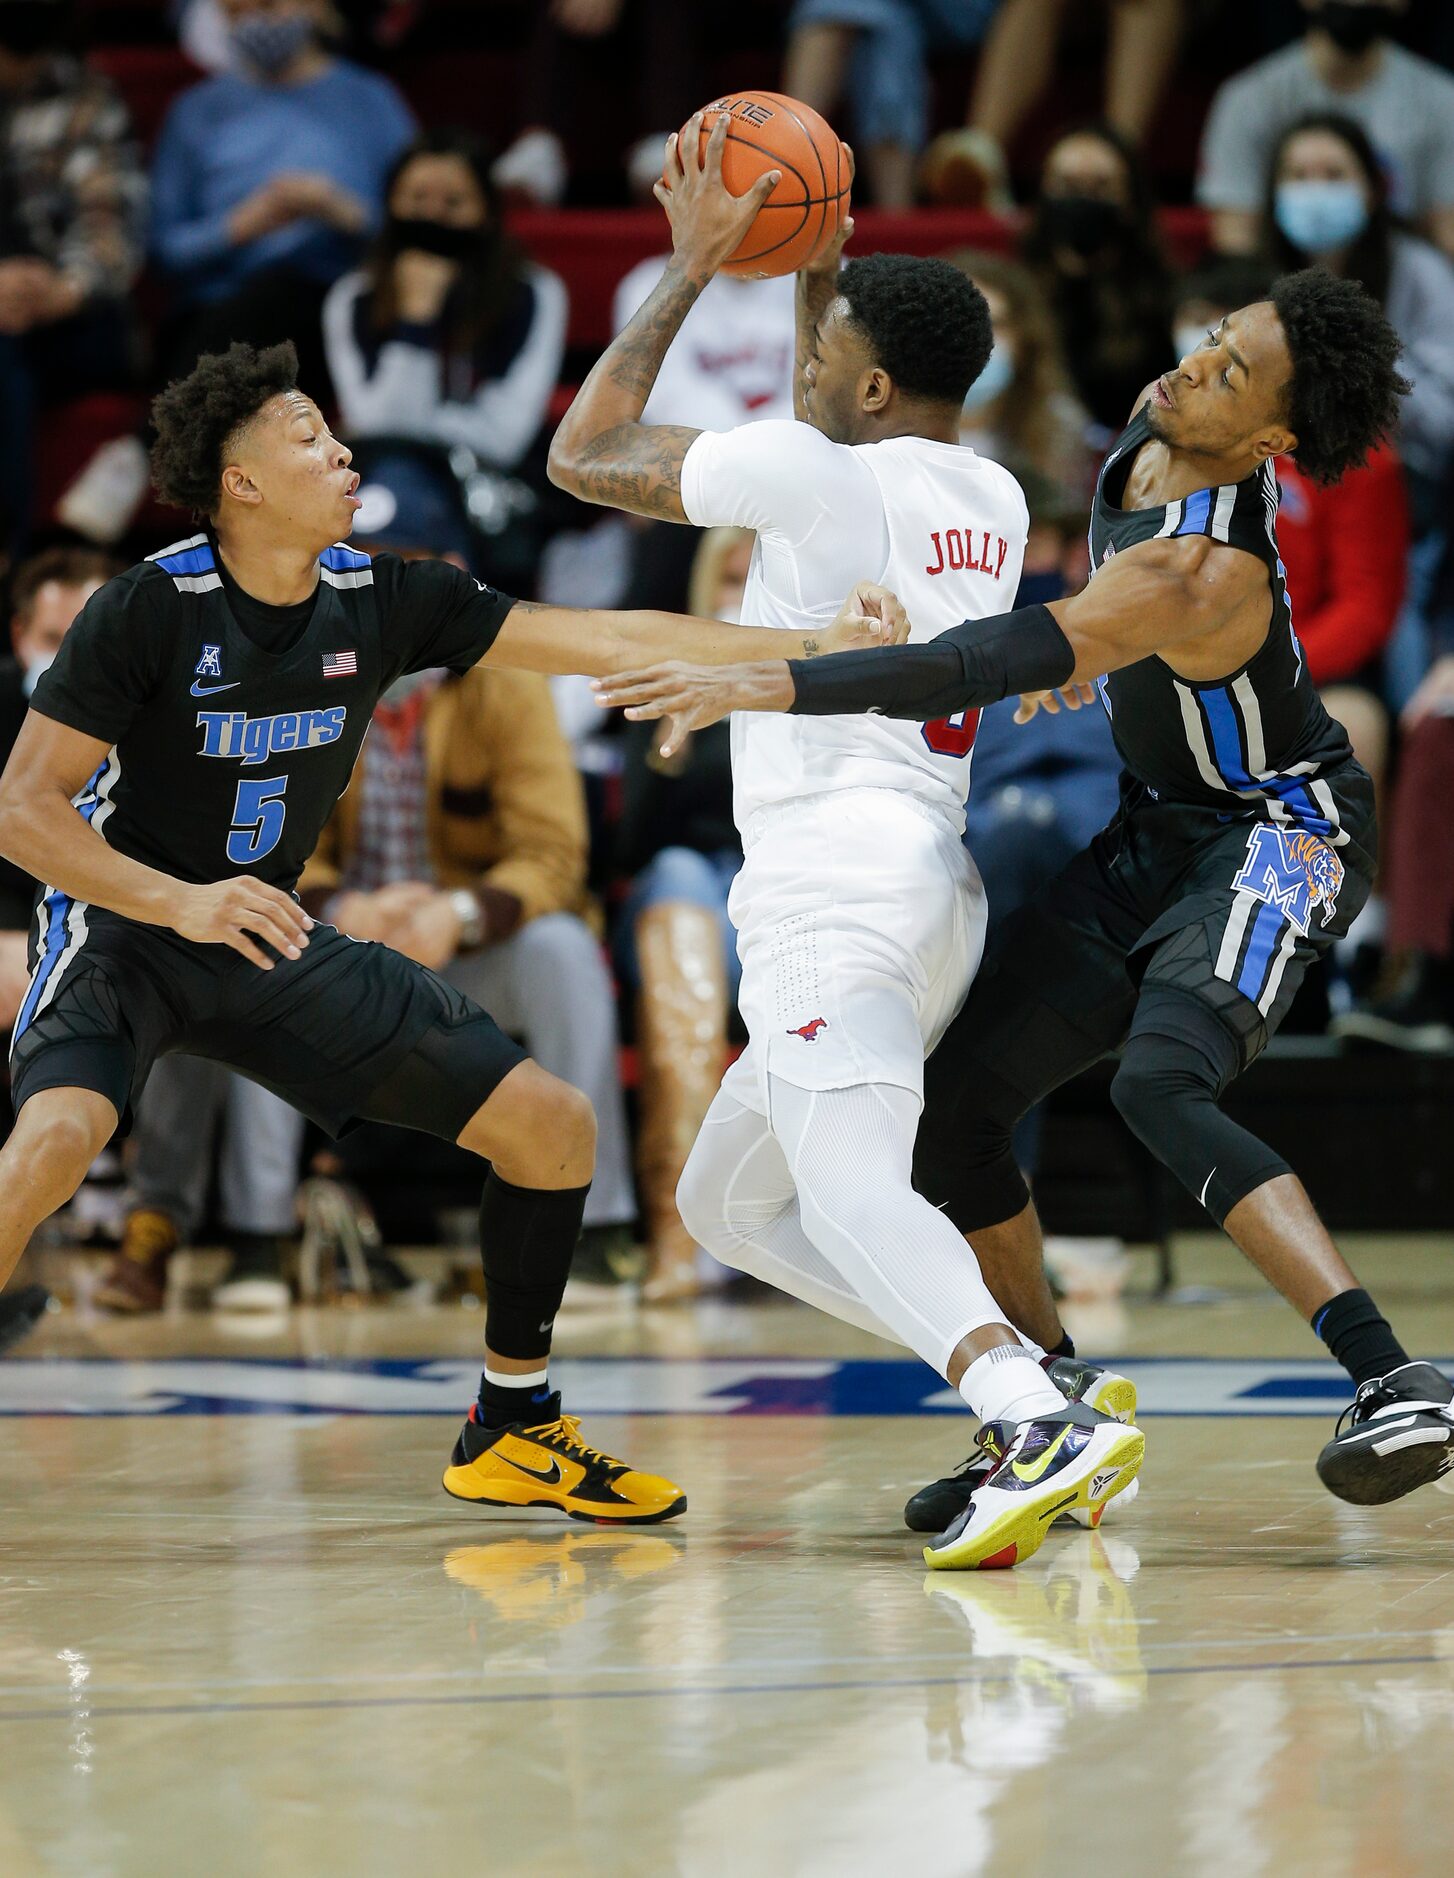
point(1346, 386)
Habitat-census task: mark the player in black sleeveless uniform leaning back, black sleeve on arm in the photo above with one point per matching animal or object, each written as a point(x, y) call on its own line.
point(1243, 850)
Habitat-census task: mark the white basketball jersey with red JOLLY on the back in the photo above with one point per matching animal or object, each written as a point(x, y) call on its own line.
point(936, 523)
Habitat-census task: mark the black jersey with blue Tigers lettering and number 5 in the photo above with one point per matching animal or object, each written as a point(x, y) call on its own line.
point(226, 758)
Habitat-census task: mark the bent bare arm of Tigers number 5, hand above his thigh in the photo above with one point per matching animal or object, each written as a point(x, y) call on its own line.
point(42, 835)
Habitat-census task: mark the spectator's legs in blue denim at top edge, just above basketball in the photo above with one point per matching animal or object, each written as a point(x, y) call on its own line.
point(876, 54)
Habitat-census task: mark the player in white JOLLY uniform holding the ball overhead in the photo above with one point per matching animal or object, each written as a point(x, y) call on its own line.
point(859, 914)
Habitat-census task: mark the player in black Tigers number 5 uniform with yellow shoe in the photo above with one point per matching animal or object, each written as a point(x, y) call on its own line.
point(204, 718)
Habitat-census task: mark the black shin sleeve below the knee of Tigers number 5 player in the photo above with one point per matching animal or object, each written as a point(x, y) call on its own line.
point(527, 1242)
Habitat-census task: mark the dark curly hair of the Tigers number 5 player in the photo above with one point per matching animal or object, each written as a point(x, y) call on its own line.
point(198, 416)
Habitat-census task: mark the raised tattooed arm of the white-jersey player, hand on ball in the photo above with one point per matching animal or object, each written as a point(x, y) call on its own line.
point(602, 452)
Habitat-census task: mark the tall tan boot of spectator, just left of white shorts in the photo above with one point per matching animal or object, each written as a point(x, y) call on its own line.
point(683, 1043)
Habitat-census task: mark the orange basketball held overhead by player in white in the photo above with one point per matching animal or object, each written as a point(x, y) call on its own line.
point(805, 211)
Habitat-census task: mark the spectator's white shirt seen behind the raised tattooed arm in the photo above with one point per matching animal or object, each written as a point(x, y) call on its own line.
point(734, 360)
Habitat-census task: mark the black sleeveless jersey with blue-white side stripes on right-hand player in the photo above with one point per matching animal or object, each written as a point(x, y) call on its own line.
point(1260, 739)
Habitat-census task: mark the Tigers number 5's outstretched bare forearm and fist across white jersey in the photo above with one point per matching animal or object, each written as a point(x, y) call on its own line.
point(574, 639)
